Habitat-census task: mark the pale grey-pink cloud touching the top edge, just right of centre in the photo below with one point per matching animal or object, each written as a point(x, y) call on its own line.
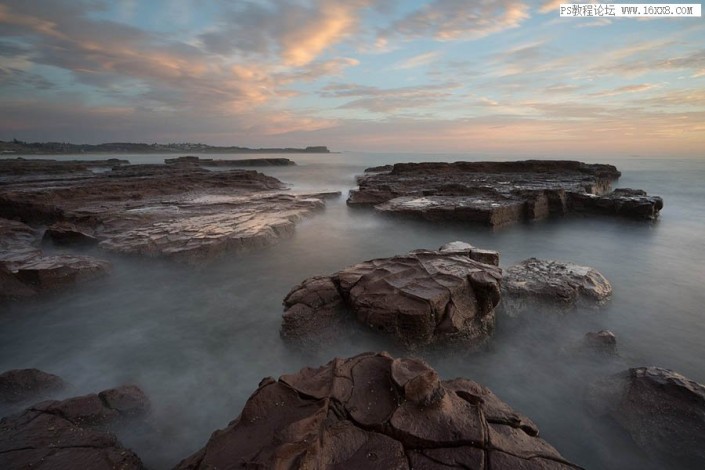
point(447, 20)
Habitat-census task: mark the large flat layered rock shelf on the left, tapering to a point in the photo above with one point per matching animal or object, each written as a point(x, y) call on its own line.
point(183, 212)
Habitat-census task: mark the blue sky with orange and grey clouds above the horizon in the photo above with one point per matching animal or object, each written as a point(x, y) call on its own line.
point(444, 76)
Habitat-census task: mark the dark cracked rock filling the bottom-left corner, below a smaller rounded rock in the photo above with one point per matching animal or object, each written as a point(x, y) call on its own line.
point(61, 435)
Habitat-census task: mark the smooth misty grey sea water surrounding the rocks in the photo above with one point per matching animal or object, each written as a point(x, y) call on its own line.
point(199, 339)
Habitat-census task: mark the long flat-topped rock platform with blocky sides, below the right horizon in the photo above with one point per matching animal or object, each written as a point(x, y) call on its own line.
point(499, 193)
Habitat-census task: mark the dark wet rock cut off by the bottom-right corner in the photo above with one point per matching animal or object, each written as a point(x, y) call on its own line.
point(663, 411)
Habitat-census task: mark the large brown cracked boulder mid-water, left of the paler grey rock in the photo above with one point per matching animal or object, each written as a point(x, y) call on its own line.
point(419, 299)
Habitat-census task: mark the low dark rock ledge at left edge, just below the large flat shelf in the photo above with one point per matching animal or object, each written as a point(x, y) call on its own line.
point(26, 271)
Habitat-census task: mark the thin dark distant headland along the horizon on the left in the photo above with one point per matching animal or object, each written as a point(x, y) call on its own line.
point(17, 147)
